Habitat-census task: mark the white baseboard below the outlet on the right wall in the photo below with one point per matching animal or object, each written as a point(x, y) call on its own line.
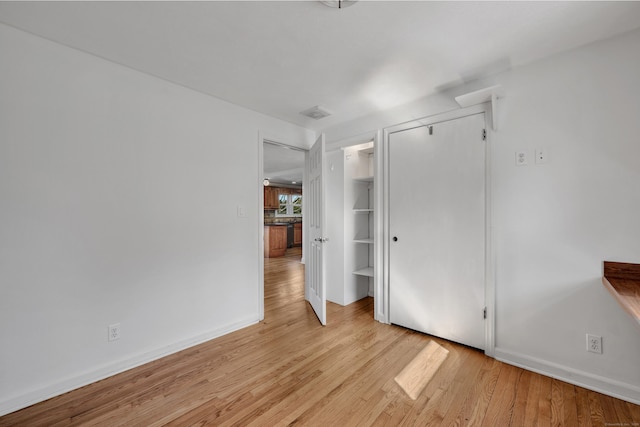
point(617, 389)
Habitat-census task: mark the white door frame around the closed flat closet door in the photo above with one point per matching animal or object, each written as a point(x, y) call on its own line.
point(382, 251)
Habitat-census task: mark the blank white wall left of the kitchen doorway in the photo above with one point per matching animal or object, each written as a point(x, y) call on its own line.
point(115, 209)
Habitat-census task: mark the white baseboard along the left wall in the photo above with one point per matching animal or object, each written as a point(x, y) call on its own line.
point(15, 403)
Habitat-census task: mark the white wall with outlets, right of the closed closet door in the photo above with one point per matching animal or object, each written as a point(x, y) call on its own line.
point(555, 223)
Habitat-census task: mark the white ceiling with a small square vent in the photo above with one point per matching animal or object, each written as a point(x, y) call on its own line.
point(280, 58)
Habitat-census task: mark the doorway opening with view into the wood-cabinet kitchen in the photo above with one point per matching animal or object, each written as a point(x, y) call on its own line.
point(283, 174)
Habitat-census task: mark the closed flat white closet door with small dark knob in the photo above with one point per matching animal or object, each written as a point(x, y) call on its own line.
point(437, 229)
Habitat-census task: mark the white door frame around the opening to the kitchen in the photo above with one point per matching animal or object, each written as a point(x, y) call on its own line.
point(261, 140)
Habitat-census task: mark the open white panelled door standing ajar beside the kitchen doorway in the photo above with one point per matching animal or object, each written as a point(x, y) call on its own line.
point(316, 287)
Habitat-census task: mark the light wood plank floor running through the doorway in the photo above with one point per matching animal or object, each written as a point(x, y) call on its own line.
point(288, 370)
